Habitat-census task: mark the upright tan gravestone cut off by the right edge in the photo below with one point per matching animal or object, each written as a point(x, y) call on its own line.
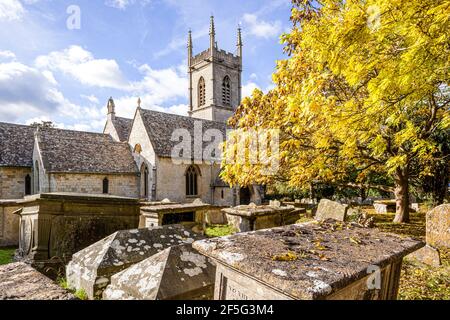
point(438, 226)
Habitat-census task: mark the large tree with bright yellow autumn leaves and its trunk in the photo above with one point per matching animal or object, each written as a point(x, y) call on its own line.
point(365, 90)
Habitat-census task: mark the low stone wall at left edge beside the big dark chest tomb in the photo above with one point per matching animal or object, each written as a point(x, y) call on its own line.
point(9, 223)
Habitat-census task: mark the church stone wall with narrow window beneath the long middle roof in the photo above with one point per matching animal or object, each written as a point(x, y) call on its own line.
point(124, 185)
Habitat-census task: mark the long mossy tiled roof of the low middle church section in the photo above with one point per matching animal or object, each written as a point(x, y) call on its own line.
point(67, 151)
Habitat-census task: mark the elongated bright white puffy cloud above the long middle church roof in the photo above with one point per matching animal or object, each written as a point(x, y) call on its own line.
point(81, 65)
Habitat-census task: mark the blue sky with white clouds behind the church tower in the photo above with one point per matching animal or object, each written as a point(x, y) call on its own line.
point(125, 49)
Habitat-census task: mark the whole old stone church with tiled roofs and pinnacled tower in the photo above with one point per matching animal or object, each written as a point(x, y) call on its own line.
point(133, 157)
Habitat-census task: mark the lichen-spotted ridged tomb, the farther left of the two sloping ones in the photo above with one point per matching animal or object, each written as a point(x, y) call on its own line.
point(92, 267)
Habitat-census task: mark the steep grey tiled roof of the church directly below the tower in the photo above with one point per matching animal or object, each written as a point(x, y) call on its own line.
point(160, 126)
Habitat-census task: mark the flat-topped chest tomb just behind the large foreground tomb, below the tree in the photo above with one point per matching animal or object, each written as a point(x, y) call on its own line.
point(252, 217)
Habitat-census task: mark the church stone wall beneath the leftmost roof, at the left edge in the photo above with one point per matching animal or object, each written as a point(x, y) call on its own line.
point(12, 182)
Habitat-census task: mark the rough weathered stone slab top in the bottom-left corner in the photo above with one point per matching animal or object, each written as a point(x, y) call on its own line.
point(19, 281)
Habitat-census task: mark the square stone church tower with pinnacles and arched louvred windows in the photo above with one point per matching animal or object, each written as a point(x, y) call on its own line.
point(214, 80)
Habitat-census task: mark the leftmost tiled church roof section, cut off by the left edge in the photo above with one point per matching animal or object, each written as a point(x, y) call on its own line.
point(16, 145)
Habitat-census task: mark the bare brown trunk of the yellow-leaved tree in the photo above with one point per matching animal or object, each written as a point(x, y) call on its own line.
point(401, 196)
